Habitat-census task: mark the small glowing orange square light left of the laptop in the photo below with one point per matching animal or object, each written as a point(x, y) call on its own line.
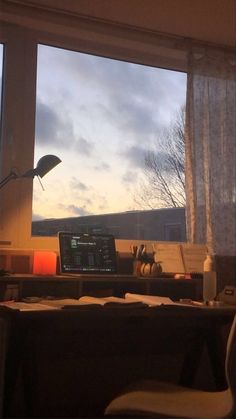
point(44, 263)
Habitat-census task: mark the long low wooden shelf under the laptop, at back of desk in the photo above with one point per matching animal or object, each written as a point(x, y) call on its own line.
point(73, 287)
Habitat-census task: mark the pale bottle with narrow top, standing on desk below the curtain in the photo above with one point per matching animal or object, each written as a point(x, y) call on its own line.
point(209, 279)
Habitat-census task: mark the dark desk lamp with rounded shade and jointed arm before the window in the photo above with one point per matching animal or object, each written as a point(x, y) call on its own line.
point(44, 165)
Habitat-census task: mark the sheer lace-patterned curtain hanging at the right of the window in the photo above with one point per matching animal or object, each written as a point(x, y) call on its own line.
point(211, 151)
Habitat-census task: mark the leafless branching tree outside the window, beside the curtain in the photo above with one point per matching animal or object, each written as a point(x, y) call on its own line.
point(164, 172)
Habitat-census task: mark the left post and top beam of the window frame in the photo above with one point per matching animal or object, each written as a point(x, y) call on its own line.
point(19, 103)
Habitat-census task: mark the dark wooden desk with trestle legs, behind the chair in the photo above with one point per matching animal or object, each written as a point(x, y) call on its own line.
point(73, 362)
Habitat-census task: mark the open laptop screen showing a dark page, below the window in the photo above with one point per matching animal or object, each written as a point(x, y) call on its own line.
point(87, 253)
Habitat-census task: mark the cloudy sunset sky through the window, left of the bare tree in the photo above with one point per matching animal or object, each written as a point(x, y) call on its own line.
point(100, 117)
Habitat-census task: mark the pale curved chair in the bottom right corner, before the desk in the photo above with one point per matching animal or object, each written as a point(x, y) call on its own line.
point(151, 399)
